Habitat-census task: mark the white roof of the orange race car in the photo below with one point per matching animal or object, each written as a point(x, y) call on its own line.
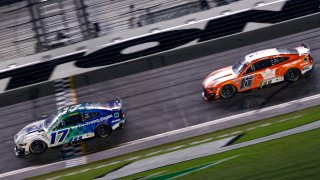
point(269, 52)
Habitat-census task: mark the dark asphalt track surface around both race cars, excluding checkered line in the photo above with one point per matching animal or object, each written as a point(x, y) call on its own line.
point(161, 100)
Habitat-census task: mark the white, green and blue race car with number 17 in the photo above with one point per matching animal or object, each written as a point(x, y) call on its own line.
point(69, 125)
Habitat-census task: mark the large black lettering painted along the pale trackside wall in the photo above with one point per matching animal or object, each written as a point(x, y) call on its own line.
point(168, 40)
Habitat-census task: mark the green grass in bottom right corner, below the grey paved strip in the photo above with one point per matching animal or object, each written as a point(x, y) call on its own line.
point(292, 157)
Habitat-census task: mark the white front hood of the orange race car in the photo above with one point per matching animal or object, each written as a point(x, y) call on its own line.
point(220, 75)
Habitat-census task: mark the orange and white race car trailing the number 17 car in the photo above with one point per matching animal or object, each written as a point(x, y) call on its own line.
point(257, 70)
